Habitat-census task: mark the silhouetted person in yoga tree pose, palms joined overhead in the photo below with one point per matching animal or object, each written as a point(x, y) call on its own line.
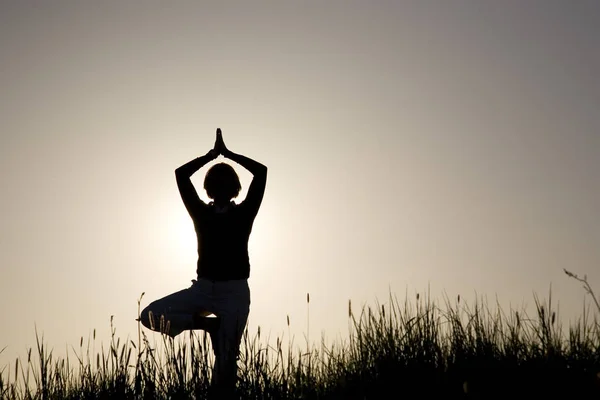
point(222, 229)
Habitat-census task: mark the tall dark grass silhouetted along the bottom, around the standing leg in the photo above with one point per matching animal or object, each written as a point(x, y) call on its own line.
point(415, 348)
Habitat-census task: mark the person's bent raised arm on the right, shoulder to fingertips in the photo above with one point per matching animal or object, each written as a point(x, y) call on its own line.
point(257, 187)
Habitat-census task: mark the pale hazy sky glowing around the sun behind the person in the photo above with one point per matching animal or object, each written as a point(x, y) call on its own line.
point(453, 145)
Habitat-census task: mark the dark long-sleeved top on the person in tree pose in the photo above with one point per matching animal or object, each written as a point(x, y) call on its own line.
point(222, 234)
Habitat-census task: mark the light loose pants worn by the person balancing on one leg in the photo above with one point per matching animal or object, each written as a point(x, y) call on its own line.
point(228, 300)
